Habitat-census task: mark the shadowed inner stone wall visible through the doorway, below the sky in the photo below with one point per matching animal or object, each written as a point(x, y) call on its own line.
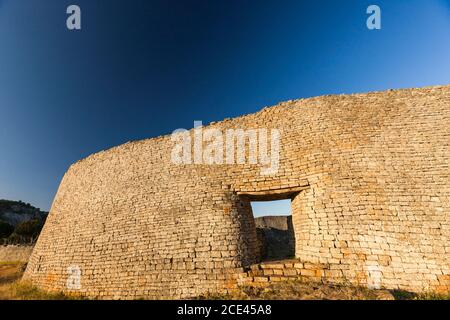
point(276, 238)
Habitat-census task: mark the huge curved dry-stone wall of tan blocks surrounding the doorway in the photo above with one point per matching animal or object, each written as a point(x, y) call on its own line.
point(368, 175)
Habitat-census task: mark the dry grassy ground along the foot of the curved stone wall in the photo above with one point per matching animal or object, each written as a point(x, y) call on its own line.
point(12, 289)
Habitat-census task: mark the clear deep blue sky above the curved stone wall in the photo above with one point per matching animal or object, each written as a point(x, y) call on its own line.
point(141, 68)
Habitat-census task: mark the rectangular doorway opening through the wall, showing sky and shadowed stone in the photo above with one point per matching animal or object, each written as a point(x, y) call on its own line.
point(274, 228)
